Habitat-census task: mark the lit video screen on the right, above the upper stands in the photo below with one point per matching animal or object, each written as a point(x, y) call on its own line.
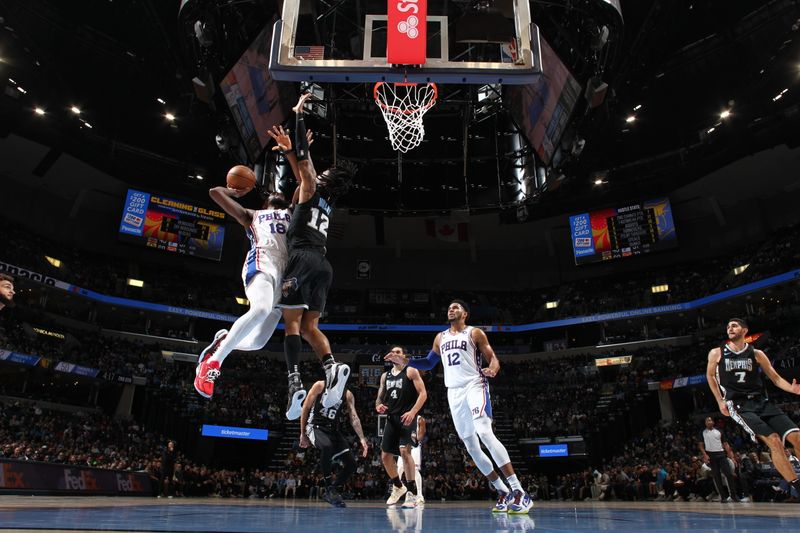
point(626, 231)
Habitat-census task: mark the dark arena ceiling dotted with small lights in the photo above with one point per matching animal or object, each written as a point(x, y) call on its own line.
point(675, 65)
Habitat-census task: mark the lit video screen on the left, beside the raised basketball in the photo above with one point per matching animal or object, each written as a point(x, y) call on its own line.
point(172, 225)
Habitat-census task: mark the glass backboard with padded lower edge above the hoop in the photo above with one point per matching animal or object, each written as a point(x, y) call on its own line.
point(463, 47)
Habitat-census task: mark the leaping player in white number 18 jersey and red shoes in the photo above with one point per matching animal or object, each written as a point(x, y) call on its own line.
point(263, 266)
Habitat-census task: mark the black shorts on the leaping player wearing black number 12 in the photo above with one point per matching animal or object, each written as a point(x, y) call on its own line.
point(306, 281)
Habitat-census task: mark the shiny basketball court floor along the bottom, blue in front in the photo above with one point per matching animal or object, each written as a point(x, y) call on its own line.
point(26, 513)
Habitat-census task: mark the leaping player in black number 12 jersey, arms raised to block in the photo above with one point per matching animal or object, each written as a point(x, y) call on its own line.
point(308, 274)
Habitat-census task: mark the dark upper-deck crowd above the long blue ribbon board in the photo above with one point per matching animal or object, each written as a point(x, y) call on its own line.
point(204, 291)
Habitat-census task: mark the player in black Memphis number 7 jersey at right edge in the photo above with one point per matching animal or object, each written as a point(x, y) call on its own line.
point(734, 378)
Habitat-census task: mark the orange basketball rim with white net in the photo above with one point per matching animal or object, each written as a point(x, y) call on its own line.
point(403, 105)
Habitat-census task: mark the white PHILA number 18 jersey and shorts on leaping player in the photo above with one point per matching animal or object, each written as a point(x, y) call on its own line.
point(268, 251)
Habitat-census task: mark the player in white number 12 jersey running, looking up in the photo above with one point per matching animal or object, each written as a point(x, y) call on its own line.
point(459, 349)
